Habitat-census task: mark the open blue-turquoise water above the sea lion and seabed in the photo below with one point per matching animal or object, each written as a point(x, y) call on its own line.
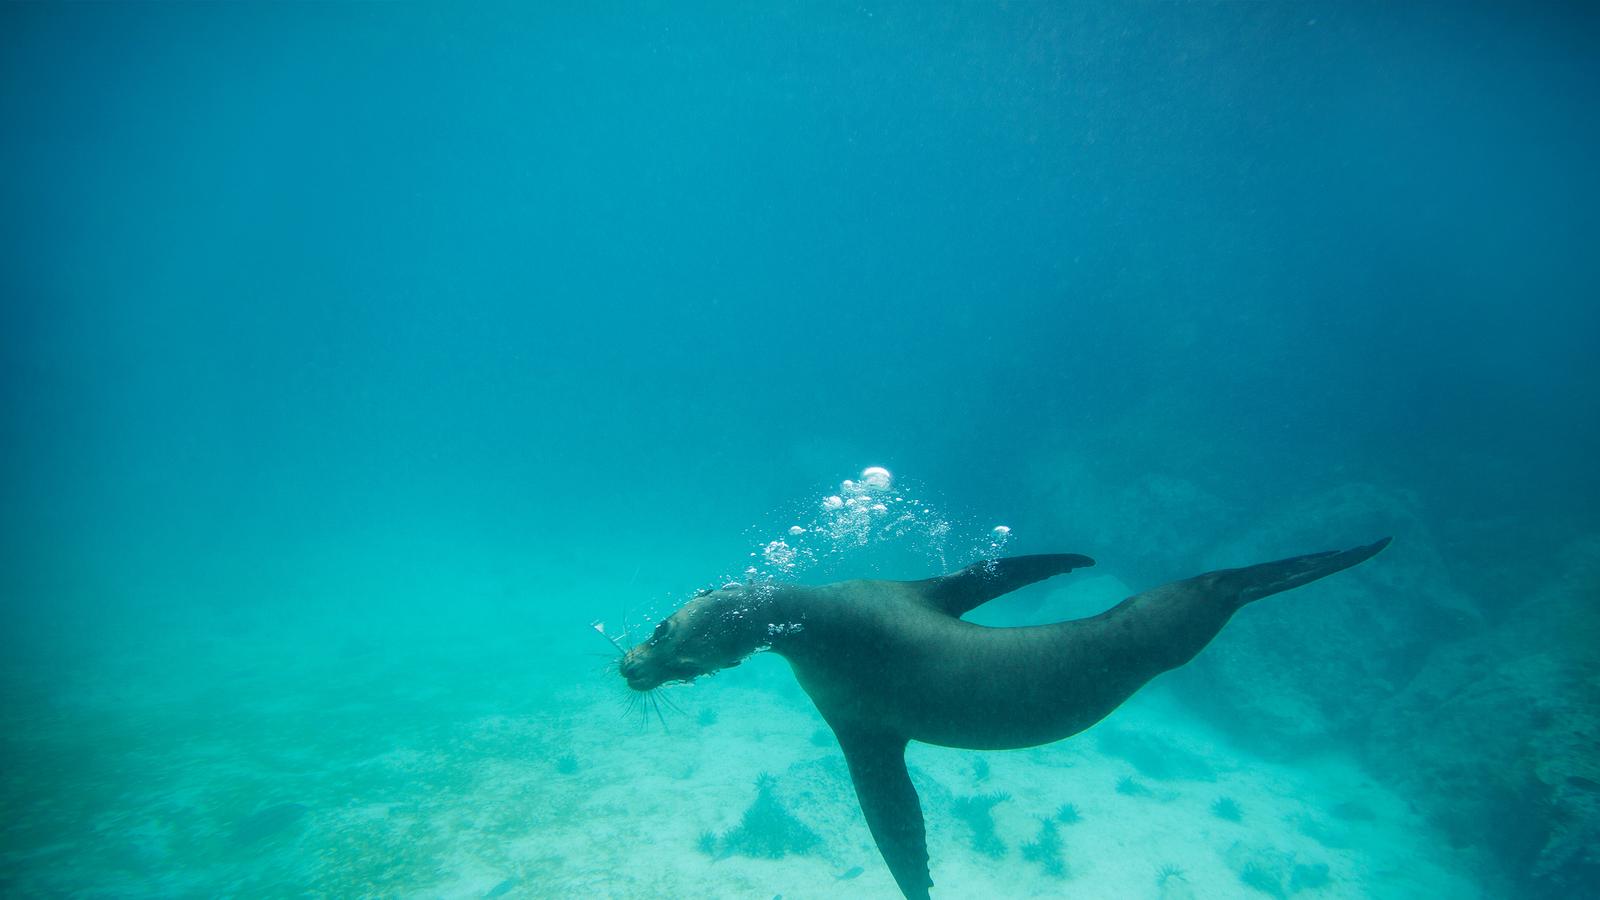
point(329, 324)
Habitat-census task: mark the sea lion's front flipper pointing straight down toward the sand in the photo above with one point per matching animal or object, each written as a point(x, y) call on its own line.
point(878, 766)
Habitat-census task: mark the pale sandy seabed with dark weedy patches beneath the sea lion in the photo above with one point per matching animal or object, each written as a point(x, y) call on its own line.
point(380, 776)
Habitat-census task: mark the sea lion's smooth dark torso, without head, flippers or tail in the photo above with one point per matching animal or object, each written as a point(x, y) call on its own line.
point(874, 656)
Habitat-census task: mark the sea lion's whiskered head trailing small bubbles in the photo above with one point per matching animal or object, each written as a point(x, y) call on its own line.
point(716, 630)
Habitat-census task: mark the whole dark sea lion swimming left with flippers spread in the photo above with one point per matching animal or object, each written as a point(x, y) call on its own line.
point(892, 662)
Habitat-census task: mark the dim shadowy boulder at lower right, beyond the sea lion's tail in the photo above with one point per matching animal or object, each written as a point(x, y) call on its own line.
point(1498, 737)
